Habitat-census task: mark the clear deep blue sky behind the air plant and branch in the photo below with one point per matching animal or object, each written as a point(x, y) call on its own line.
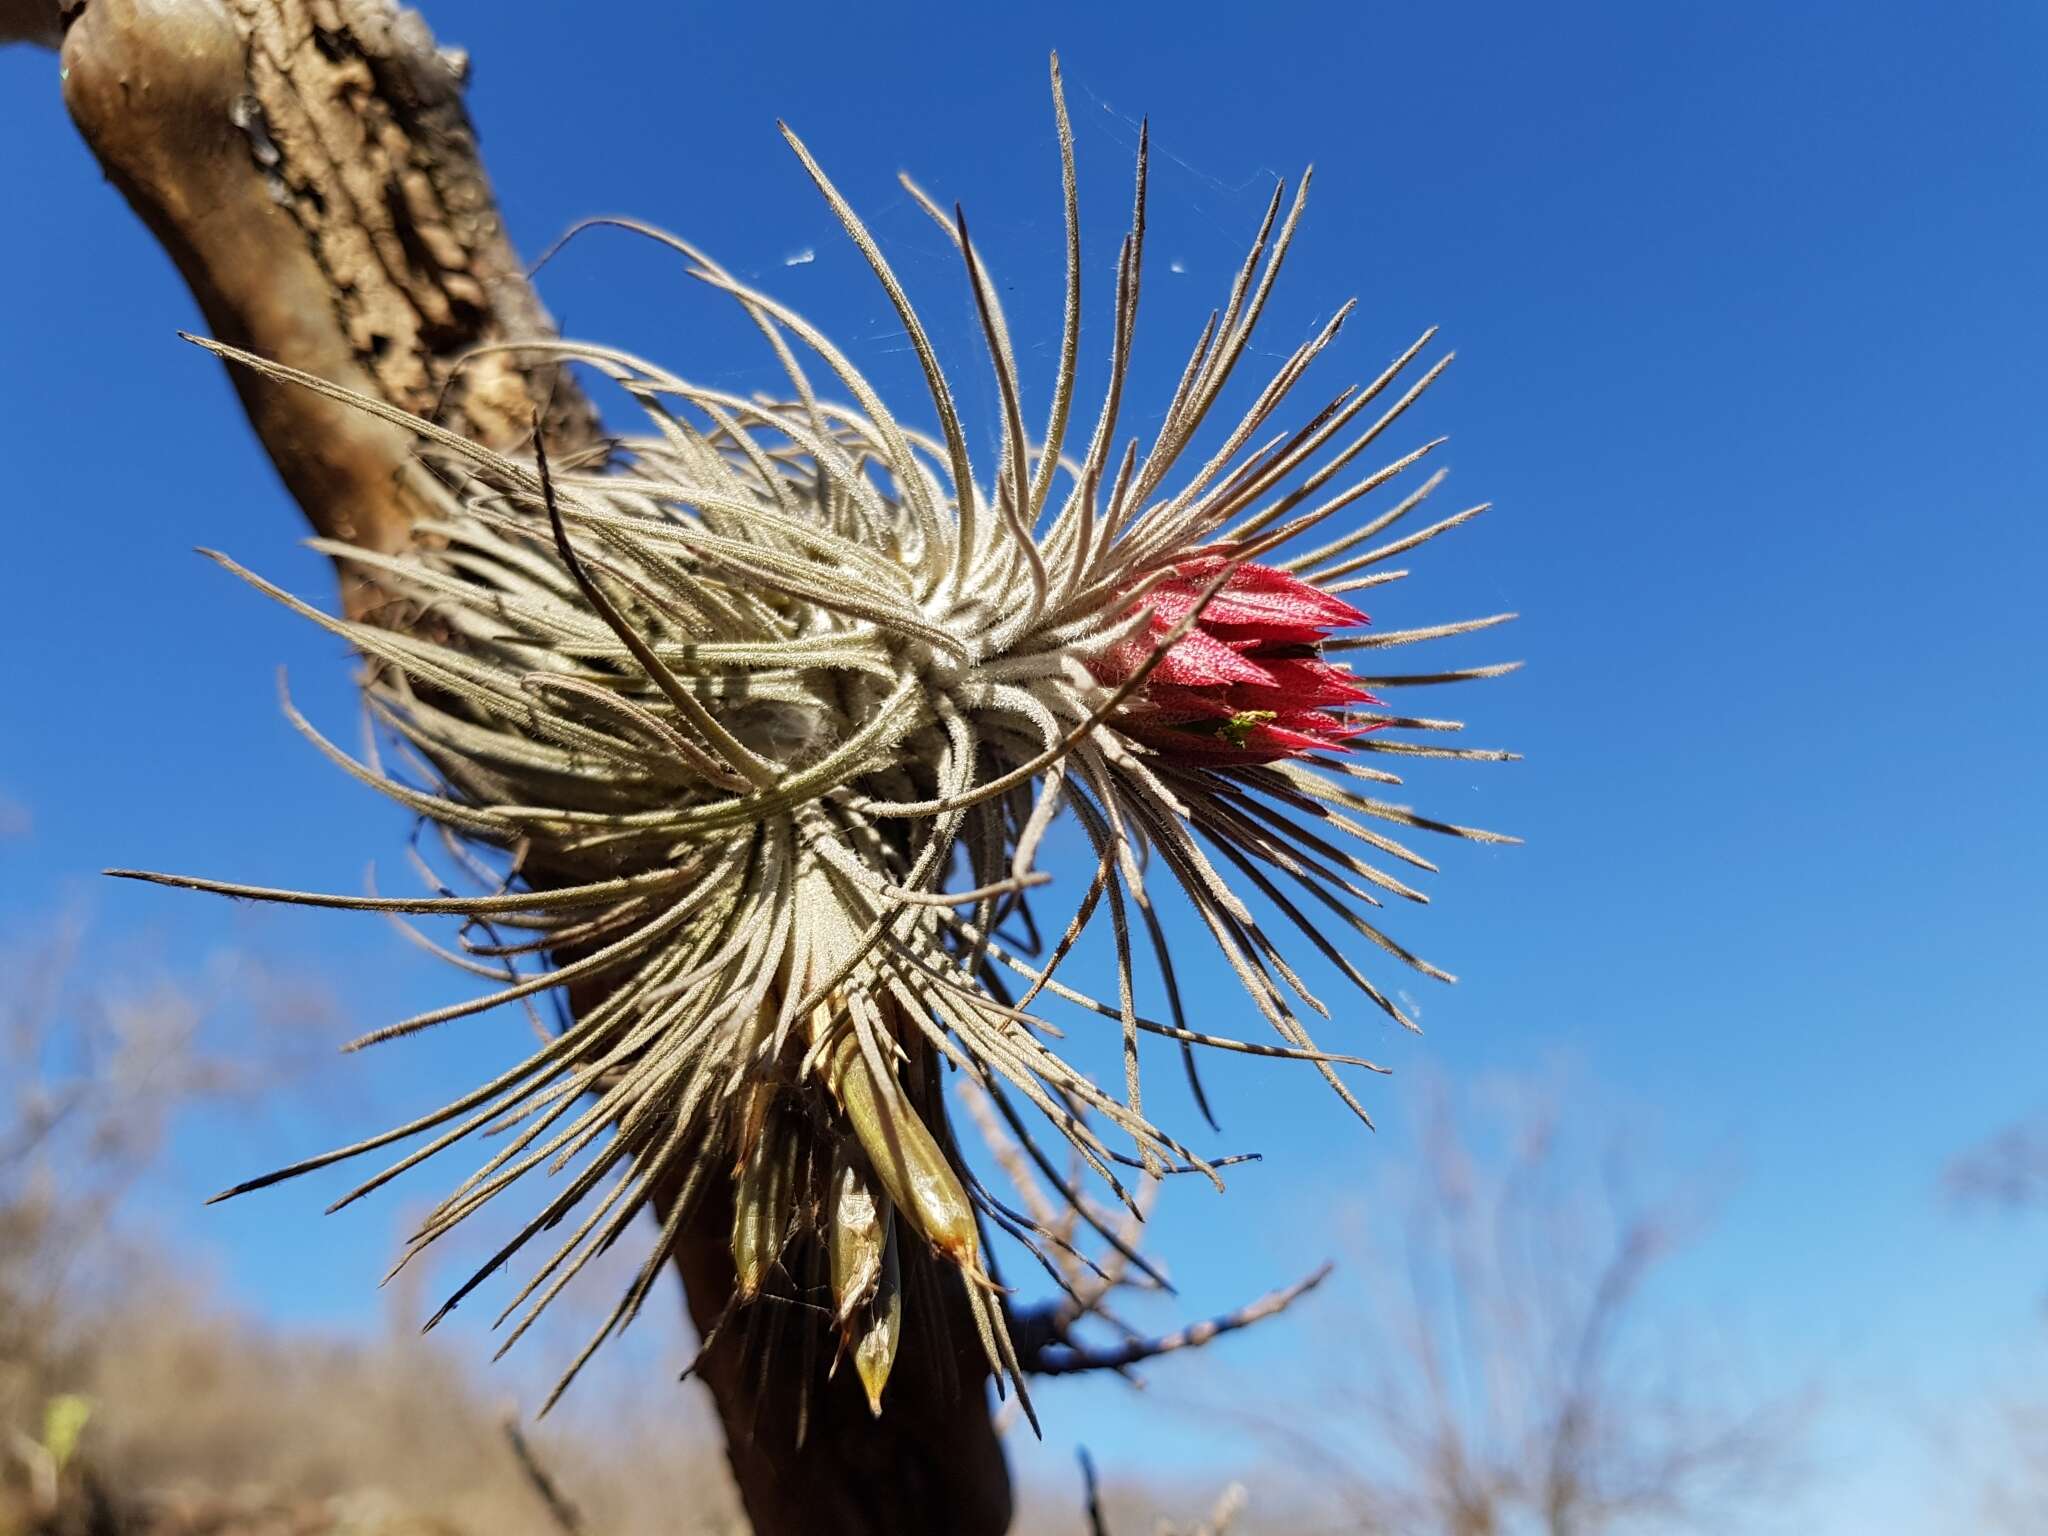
point(1752, 366)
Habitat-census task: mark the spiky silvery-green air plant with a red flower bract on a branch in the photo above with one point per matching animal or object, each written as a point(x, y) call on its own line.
point(769, 710)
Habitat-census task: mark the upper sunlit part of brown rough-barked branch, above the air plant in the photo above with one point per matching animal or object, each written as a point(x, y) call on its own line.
point(310, 169)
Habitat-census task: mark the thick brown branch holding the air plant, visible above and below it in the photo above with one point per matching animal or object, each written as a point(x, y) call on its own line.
point(310, 169)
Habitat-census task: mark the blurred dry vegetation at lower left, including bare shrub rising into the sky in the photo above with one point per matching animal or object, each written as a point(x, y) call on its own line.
point(132, 1404)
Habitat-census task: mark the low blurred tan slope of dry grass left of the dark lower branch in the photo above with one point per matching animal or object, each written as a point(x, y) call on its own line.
point(198, 1412)
